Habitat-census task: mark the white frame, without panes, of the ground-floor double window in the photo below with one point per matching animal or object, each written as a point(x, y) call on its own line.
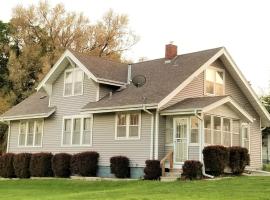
point(127, 127)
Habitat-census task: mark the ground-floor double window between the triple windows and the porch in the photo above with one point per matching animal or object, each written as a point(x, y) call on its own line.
point(128, 126)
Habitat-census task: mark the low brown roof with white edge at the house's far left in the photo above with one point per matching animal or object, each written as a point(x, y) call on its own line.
point(35, 106)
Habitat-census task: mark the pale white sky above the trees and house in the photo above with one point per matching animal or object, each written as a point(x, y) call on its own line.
point(243, 27)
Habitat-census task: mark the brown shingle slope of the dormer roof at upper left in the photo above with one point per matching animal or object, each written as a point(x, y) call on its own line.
point(103, 68)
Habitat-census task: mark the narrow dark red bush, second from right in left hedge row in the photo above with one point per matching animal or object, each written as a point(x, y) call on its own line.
point(61, 165)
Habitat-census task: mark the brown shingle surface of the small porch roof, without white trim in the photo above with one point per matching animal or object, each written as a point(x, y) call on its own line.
point(194, 103)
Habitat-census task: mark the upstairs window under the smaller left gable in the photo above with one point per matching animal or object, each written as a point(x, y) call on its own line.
point(73, 83)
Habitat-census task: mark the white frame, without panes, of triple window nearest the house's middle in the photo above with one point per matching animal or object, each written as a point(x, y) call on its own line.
point(81, 117)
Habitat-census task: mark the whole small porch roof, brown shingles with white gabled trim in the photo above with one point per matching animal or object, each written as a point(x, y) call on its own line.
point(205, 104)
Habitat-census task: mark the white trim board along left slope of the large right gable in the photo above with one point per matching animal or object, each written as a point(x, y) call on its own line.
point(189, 79)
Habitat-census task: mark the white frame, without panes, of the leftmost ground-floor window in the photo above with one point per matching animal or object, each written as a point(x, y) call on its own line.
point(34, 133)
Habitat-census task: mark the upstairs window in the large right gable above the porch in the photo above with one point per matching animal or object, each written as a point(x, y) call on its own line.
point(214, 81)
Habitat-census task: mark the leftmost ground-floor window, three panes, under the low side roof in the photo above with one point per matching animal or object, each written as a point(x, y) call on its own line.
point(30, 133)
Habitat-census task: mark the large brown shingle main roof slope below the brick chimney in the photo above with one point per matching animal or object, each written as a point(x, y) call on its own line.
point(161, 79)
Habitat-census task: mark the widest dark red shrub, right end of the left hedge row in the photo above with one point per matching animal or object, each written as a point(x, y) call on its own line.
point(85, 163)
